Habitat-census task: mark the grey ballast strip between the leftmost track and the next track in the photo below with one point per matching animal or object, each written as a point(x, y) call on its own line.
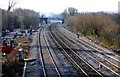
point(64, 65)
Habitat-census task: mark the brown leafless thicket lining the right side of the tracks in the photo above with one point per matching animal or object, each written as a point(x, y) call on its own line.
point(102, 27)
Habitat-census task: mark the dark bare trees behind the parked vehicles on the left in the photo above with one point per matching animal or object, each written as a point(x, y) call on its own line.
point(19, 18)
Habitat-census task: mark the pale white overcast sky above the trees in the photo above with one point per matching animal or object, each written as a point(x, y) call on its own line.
point(57, 6)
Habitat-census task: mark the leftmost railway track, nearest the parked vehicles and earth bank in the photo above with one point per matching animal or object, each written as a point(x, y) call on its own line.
point(49, 66)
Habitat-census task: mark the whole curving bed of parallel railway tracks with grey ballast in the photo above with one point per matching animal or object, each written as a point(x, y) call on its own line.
point(62, 54)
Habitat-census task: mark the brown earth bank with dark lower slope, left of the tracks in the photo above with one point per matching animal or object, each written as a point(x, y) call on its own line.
point(11, 64)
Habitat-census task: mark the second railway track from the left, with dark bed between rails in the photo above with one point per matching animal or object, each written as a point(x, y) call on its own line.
point(77, 60)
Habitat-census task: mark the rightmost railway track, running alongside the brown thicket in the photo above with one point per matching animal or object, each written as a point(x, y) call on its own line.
point(105, 52)
